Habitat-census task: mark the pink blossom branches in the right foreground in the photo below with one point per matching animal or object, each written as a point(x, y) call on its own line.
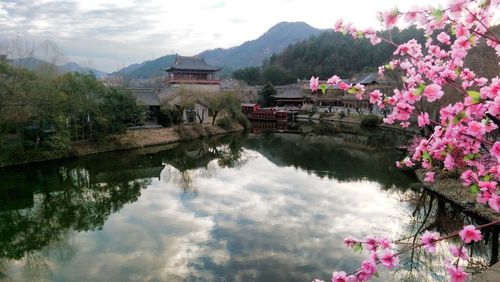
point(464, 136)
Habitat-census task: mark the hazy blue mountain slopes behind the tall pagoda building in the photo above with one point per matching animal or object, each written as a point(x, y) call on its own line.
point(250, 53)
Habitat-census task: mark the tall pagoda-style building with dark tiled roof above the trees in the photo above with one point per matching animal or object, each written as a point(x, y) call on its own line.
point(193, 72)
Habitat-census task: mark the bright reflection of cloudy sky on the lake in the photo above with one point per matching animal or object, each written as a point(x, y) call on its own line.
point(257, 221)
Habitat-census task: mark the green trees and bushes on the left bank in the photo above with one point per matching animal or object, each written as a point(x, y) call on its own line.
point(42, 114)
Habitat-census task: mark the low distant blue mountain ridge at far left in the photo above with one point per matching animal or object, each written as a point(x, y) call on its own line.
point(32, 63)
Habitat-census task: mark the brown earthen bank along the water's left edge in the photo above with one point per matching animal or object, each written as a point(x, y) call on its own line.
point(132, 139)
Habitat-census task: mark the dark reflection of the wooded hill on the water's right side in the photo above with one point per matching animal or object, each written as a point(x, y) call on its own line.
point(325, 157)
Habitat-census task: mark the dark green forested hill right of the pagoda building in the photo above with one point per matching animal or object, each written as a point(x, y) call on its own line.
point(329, 52)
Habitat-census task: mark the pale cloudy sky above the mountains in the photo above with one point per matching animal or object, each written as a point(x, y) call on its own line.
point(109, 35)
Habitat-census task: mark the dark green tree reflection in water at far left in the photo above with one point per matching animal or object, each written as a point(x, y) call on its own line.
point(67, 201)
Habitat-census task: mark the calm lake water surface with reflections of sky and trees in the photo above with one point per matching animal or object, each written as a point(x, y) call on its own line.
point(271, 207)
